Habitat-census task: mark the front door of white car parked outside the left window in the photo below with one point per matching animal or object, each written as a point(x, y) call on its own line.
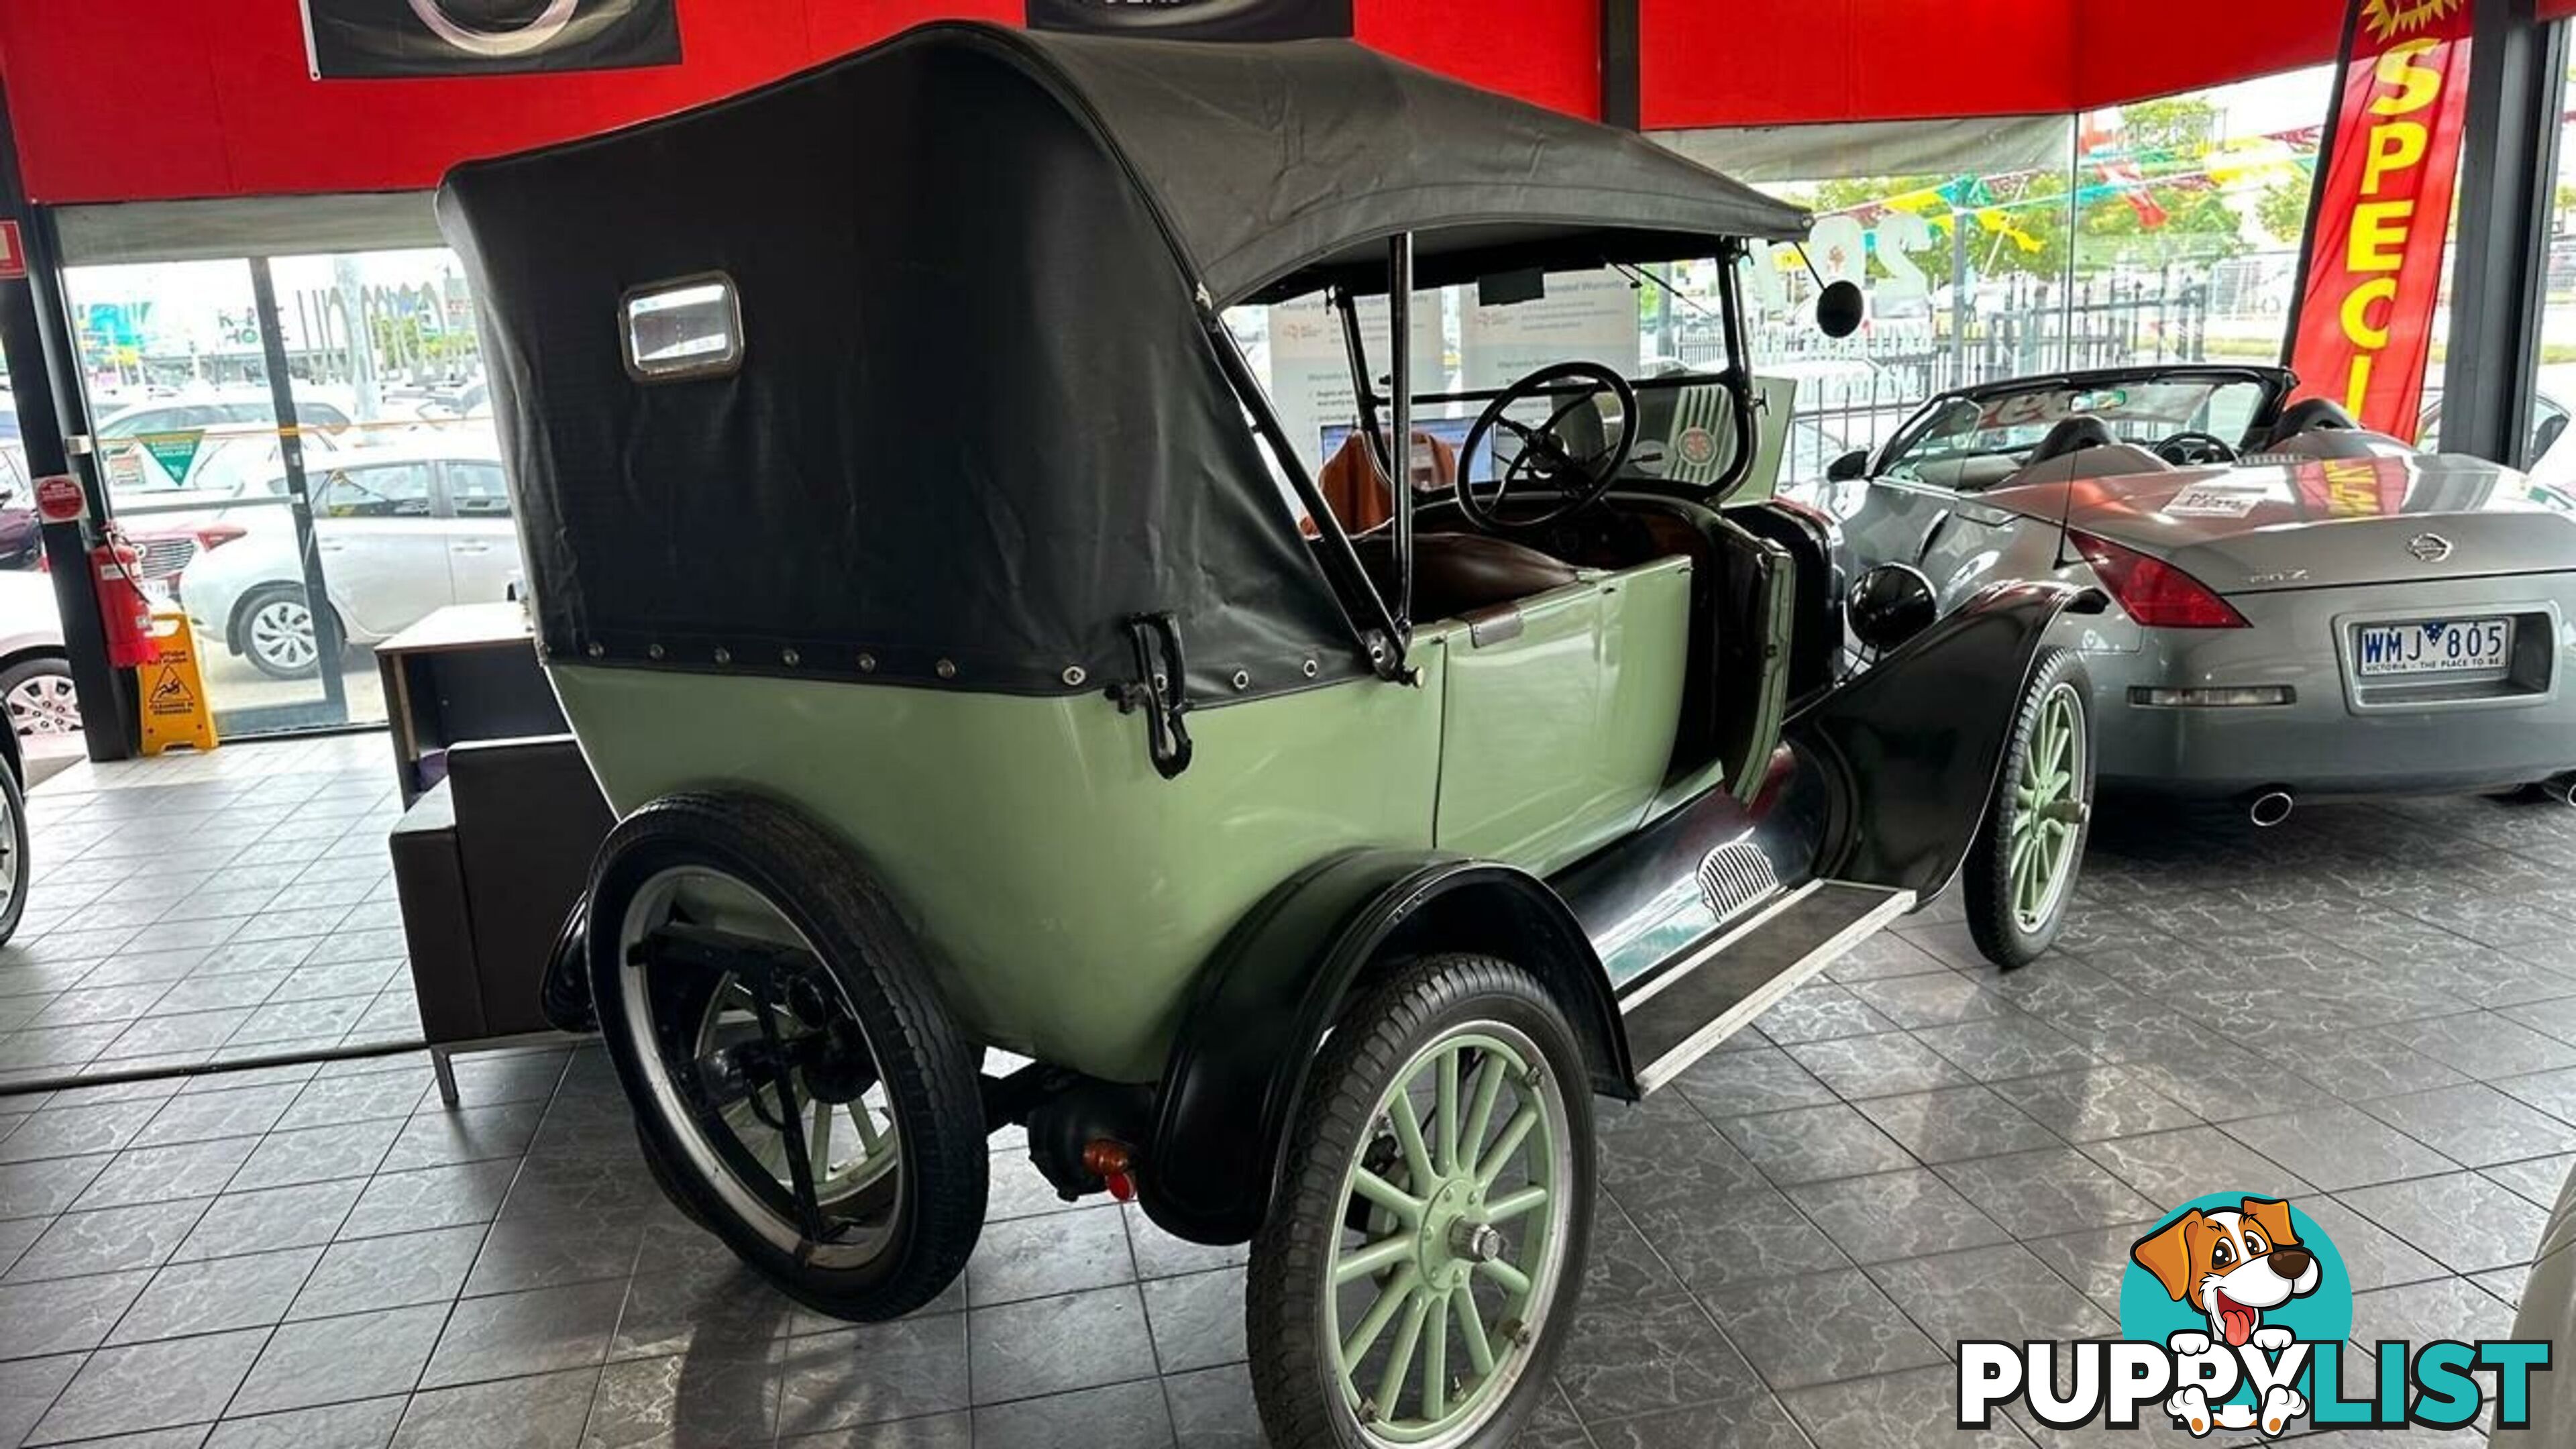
point(385, 550)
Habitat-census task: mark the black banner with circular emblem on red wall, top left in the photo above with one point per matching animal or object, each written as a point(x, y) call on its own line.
point(377, 40)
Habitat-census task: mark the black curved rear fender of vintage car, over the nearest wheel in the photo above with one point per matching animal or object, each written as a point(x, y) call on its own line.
point(1279, 984)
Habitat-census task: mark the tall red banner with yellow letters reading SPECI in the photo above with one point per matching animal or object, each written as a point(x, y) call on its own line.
point(2374, 269)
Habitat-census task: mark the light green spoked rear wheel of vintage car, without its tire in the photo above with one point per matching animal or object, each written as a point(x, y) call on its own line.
point(1434, 1301)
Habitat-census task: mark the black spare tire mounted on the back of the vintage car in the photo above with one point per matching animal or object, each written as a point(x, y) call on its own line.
point(936, 1200)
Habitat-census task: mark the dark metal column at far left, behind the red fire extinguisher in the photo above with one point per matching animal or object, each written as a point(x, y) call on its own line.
point(45, 383)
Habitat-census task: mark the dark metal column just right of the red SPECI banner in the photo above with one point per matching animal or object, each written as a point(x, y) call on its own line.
point(2508, 182)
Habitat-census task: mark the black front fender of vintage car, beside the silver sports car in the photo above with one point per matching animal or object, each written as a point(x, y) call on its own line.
point(1918, 741)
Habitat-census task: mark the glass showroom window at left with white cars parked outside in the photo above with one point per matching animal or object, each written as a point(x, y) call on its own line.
point(390, 404)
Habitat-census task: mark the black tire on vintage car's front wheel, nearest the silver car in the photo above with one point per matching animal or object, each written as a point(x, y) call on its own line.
point(2000, 929)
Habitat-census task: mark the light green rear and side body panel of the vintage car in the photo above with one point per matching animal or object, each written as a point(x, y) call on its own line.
point(1070, 893)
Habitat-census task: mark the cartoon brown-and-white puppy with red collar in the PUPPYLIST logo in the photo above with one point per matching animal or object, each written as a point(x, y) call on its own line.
point(2232, 1265)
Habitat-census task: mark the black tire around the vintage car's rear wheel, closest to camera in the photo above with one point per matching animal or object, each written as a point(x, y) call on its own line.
point(1294, 1381)
